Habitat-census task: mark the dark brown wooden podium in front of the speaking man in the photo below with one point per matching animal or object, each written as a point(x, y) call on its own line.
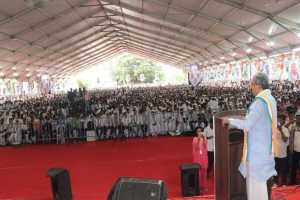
point(229, 183)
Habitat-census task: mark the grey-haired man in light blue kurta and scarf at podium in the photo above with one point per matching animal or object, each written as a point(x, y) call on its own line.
point(259, 126)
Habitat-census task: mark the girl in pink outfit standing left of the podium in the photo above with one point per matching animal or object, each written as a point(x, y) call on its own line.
point(200, 157)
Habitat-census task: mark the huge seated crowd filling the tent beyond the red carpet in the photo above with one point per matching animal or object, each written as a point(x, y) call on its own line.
point(124, 113)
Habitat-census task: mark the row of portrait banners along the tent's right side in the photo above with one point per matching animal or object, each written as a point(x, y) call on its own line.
point(281, 67)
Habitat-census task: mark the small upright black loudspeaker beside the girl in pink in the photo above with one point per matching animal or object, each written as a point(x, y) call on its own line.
point(190, 179)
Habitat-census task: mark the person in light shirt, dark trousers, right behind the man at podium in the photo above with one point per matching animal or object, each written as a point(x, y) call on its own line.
point(281, 162)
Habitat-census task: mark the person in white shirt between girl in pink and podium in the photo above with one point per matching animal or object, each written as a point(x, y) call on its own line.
point(210, 136)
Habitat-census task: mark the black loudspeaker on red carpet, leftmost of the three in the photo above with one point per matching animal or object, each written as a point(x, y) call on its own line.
point(61, 184)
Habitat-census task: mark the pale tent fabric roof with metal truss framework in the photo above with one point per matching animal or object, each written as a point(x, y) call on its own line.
point(60, 37)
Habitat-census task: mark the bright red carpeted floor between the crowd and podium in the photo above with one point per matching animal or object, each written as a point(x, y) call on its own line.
point(95, 166)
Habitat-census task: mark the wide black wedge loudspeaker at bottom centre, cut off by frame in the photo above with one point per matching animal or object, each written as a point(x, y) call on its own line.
point(138, 189)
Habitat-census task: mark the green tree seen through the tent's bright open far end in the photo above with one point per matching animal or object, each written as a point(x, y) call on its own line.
point(131, 69)
